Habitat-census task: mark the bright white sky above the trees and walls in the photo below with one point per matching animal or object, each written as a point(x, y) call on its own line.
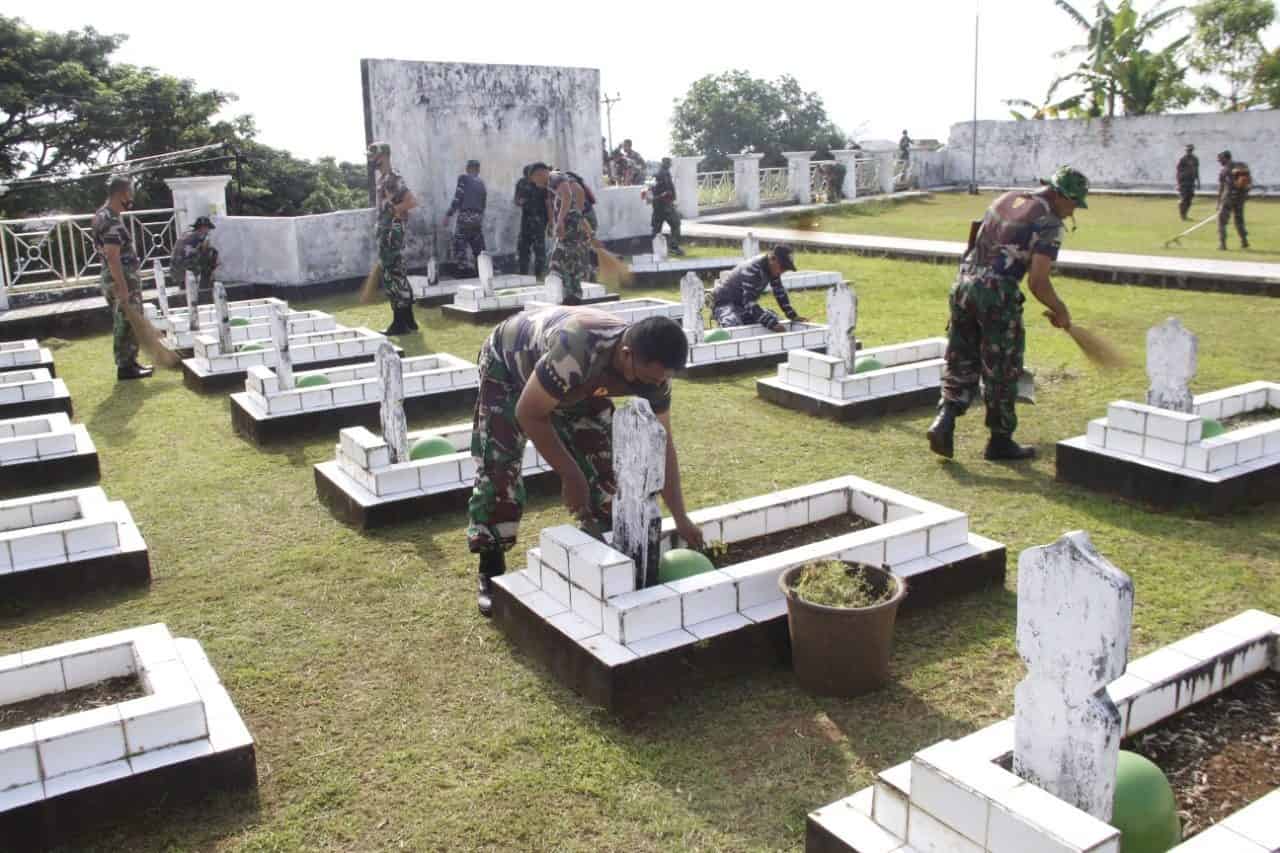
point(879, 67)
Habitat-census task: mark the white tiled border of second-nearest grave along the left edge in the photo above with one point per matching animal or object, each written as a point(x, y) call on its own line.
point(56, 530)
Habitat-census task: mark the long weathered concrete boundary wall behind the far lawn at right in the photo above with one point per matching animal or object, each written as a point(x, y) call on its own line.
point(1137, 152)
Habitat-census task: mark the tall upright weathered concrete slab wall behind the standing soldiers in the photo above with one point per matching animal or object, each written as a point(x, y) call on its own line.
point(438, 116)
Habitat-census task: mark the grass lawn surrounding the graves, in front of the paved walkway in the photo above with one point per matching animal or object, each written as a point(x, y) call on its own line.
point(390, 717)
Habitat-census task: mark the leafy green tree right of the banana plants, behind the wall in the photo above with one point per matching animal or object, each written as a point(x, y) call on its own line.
point(1228, 44)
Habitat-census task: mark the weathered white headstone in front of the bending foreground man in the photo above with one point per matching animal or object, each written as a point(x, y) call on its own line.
point(639, 469)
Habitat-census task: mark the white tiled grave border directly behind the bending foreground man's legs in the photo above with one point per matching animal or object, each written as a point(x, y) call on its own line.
point(364, 471)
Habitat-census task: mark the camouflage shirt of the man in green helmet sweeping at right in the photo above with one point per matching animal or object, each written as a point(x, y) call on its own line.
point(1017, 226)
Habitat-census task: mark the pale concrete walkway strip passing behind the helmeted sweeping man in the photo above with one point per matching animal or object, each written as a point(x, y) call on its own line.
point(1194, 273)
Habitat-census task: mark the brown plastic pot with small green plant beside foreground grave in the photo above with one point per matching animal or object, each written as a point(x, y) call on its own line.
point(842, 651)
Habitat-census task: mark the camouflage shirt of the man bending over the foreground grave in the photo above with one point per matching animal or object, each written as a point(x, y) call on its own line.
point(568, 349)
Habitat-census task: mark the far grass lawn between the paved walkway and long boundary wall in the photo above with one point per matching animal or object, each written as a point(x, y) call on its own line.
point(1112, 225)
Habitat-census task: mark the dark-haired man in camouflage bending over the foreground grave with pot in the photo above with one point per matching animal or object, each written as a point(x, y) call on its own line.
point(550, 377)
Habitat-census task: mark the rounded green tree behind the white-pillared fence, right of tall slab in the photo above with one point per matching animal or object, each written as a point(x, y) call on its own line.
point(735, 112)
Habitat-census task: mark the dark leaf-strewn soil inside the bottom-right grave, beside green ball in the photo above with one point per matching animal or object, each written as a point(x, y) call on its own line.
point(1220, 755)
